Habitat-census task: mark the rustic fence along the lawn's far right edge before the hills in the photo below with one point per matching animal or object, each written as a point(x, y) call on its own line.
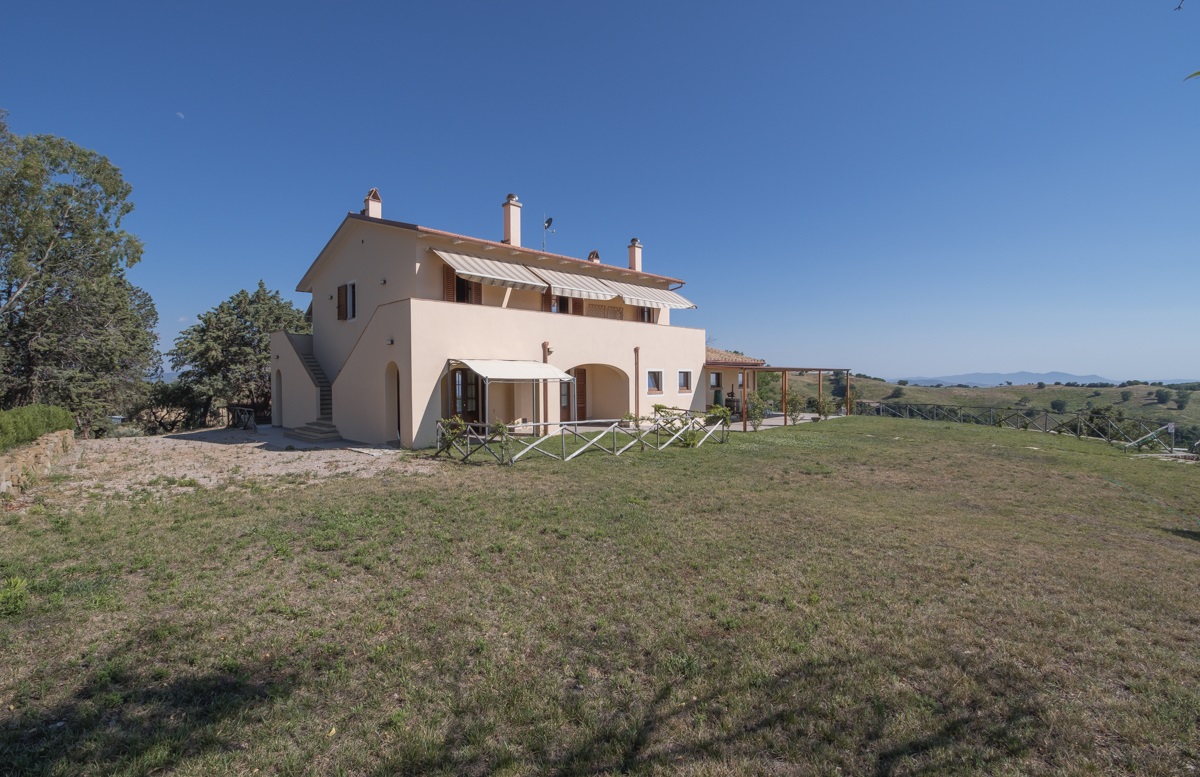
point(1129, 432)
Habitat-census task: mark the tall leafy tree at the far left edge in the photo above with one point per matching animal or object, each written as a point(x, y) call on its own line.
point(74, 330)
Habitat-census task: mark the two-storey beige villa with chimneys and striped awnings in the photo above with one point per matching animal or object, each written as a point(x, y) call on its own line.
point(413, 324)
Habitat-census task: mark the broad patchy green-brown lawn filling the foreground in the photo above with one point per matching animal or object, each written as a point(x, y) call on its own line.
point(867, 595)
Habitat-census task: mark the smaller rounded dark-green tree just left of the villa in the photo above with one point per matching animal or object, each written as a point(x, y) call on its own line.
point(227, 354)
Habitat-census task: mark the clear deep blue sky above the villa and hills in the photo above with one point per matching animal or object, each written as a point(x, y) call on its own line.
point(920, 188)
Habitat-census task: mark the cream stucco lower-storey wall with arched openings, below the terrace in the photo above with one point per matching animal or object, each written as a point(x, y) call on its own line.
point(437, 332)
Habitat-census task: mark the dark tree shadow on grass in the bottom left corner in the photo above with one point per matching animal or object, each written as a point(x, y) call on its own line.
point(122, 720)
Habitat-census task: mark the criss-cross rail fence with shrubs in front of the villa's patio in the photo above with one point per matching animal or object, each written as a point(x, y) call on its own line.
point(565, 441)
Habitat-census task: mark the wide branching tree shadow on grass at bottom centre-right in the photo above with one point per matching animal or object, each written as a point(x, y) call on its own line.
point(788, 721)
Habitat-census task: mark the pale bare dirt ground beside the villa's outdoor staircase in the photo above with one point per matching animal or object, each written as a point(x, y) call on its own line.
point(128, 468)
